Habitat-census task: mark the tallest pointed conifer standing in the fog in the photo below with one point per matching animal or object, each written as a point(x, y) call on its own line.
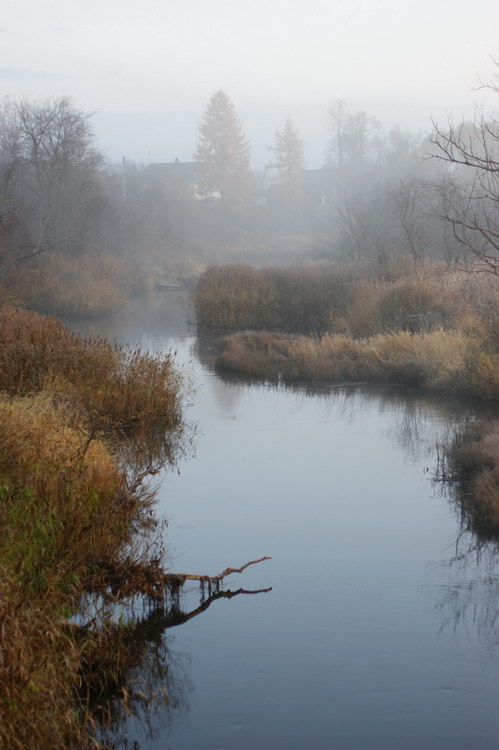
point(223, 153)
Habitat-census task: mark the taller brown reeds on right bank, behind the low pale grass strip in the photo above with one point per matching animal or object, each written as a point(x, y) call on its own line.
point(360, 301)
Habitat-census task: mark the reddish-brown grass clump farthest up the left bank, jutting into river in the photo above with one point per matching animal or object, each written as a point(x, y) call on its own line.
point(116, 388)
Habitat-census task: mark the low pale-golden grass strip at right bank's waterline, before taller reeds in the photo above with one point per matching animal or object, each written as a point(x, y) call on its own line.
point(437, 360)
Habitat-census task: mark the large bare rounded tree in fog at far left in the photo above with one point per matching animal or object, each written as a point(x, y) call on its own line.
point(50, 178)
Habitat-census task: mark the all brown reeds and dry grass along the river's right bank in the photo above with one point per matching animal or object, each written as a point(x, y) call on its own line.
point(418, 325)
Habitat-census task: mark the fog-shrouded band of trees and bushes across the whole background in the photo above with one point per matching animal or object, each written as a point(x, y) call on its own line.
point(378, 192)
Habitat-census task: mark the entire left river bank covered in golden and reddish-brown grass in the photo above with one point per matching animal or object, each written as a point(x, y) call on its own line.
point(76, 416)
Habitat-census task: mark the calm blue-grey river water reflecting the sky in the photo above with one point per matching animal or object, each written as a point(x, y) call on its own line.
point(380, 630)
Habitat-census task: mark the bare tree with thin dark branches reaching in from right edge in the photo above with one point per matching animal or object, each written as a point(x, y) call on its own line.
point(472, 209)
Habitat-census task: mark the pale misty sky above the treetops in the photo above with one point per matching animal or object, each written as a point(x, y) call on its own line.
point(147, 70)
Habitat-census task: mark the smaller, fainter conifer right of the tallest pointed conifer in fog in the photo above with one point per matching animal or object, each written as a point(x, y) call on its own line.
point(287, 166)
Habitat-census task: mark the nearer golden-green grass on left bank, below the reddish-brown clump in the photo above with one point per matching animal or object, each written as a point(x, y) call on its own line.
point(67, 515)
